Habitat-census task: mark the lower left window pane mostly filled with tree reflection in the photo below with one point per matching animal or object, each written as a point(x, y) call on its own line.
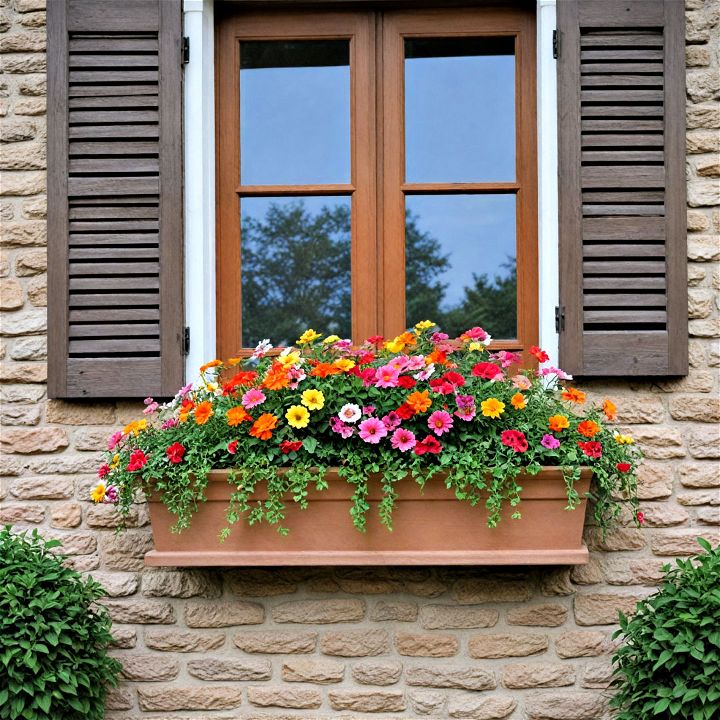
point(295, 257)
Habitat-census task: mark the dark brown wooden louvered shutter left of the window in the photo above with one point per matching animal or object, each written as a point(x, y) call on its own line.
point(115, 309)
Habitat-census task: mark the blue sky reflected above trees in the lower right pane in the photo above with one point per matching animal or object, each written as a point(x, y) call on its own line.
point(476, 231)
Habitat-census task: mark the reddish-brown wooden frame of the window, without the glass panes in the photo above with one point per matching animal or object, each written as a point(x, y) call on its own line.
point(377, 185)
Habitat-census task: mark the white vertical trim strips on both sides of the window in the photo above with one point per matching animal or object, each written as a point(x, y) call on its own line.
point(199, 143)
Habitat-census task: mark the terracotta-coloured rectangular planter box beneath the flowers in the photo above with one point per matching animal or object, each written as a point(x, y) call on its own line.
point(430, 528)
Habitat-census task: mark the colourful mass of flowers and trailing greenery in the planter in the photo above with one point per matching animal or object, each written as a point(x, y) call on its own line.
point(419, 404)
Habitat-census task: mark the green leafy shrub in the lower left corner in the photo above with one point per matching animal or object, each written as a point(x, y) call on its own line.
point(53, 637)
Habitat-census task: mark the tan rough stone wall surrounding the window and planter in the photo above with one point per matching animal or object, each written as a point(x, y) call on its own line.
point(303, 643)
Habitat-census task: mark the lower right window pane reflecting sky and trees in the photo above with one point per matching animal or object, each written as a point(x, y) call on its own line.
point(460, 262)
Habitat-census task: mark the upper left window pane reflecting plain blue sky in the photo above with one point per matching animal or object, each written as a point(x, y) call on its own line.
point(294, 112)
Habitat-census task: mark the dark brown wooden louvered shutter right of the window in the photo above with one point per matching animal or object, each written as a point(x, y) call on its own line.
point(621, 110)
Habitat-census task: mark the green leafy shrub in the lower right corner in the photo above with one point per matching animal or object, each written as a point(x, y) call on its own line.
point(669, 663)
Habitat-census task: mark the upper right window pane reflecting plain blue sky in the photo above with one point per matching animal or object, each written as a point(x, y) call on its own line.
point(459, 109)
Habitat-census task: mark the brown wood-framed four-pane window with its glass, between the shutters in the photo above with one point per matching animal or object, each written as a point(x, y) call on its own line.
point(376, 169)
